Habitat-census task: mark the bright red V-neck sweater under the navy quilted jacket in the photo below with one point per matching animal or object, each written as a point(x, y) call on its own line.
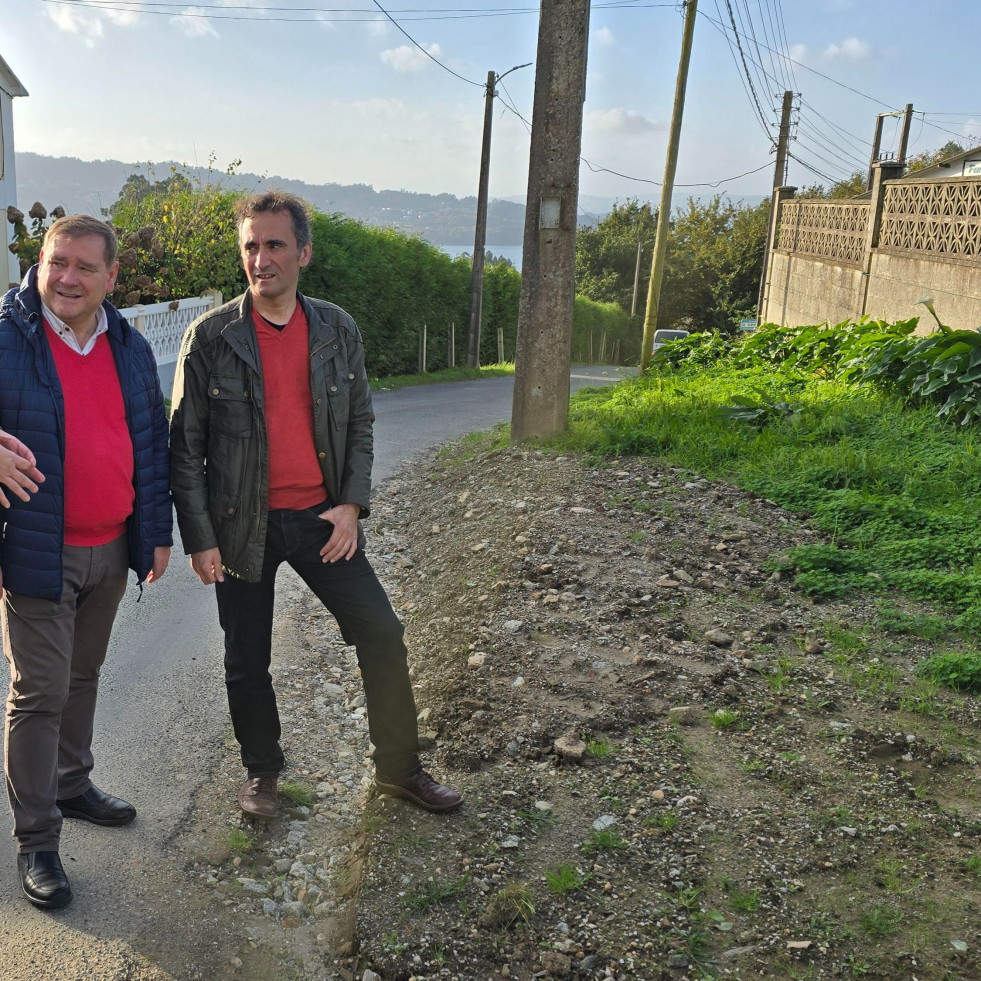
point(99, 492)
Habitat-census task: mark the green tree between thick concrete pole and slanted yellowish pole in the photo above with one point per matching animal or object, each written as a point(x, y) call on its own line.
point(606, 256)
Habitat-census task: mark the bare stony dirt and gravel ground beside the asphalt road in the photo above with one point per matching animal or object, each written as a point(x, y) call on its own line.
point(674, 765)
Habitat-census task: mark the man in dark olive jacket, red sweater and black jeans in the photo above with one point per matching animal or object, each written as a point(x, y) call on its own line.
point(271, 453)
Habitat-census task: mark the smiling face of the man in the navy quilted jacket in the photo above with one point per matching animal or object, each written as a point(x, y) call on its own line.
point(73, 278)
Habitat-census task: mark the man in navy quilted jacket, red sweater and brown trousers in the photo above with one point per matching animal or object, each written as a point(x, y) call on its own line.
point(78, 386)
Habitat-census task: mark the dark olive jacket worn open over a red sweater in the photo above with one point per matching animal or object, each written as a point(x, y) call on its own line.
point(218, 444)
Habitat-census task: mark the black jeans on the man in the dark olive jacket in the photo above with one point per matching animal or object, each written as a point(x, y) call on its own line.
point(352, 593)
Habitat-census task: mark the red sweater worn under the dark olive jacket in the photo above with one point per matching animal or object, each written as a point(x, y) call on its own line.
point(295, 480)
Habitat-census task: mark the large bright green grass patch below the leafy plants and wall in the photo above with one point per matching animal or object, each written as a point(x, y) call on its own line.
point(894, 489)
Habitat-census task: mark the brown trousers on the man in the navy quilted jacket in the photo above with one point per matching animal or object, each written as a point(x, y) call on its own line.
point(56, 651)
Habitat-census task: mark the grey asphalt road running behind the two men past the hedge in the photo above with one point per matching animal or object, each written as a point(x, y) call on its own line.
point(161, 725)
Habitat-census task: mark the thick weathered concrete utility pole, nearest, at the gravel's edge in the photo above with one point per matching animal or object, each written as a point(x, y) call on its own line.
point(548, 262)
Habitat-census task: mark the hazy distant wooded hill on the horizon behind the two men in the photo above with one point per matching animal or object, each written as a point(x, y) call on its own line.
point(88, 186)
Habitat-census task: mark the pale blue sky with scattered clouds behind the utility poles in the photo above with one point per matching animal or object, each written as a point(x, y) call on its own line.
point(334, 91)
